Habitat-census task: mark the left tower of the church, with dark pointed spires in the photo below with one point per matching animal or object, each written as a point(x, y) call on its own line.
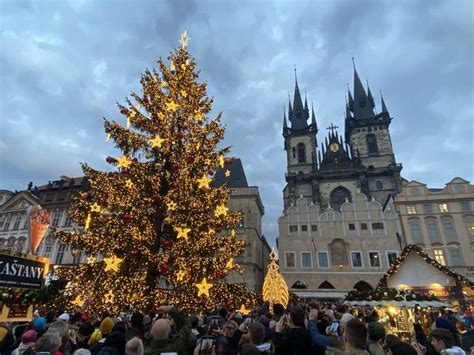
point(300, 146)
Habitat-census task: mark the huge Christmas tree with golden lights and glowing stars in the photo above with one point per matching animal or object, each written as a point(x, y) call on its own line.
point(155, 230)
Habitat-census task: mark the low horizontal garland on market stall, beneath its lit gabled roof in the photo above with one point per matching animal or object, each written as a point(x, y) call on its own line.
point(389, 294)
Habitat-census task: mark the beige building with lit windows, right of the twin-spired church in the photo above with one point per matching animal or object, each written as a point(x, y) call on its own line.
point(441, 221)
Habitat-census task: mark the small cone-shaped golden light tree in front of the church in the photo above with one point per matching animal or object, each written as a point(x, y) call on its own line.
point(275, 289)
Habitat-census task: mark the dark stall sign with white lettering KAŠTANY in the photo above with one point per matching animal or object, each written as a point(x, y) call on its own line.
point(21, 272)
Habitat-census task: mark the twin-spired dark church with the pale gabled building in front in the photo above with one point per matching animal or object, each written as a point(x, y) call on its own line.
point(339, 230)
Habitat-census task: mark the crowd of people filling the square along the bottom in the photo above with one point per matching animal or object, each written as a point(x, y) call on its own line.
point(299, 329)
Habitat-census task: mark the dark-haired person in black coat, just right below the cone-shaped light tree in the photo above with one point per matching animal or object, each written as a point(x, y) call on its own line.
point(295, 340)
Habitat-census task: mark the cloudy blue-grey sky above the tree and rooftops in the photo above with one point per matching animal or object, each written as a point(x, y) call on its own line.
point(64, 64)
